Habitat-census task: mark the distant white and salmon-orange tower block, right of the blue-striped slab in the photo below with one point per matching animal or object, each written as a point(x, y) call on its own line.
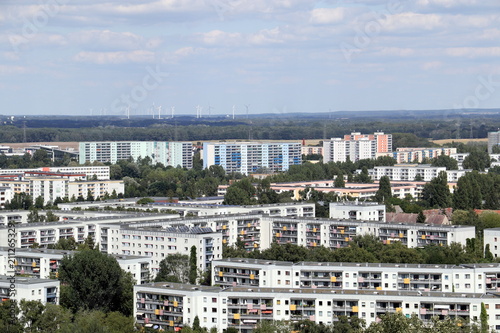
point(356, 146)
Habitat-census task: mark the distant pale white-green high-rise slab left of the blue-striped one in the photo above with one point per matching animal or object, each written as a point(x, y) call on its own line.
point(167, 153)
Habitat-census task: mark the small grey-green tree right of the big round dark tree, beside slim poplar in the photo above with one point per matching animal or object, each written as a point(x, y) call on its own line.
point(174, 268)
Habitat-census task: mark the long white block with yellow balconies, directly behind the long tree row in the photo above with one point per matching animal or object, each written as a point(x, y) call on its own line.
point(259, 231)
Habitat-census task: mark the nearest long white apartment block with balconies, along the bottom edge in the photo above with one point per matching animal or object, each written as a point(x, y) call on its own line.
point(171, 306)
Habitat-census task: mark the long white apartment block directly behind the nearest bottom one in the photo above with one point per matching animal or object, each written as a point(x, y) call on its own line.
point(466, 278)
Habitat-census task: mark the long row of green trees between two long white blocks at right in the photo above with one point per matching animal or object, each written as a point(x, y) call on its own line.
point(368, 249)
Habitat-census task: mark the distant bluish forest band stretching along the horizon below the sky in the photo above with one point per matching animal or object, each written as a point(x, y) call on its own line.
point(438, 125)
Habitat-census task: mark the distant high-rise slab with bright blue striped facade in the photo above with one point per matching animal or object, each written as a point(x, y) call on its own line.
point(248, 157)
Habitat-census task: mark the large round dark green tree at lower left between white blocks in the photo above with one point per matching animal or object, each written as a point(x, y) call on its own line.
point(93, 281)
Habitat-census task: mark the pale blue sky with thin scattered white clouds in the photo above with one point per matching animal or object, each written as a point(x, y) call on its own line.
point(94, 57)
